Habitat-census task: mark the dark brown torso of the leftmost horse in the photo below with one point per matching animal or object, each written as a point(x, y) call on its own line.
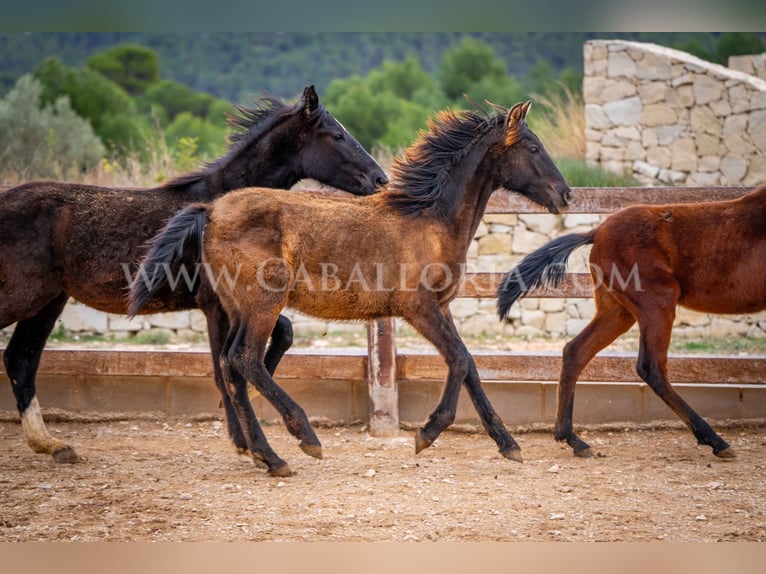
point(80, 238)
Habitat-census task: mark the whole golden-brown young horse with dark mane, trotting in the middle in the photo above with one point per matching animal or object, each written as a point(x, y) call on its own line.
point(398, 253)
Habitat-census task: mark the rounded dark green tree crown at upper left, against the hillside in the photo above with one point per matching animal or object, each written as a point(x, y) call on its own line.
point(134, 68)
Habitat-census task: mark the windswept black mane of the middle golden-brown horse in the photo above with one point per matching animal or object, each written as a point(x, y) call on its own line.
point(420, 178)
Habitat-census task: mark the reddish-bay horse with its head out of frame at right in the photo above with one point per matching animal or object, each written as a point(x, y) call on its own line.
point(646, 260)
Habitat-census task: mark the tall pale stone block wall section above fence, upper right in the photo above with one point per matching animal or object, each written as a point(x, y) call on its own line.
point(671, 118)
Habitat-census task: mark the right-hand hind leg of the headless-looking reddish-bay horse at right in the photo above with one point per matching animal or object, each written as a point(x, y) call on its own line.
point(655, 321)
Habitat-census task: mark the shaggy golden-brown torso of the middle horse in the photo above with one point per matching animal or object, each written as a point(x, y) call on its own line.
point(336, 258)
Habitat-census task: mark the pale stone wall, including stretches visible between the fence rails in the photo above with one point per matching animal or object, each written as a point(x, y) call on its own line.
point(667, 116)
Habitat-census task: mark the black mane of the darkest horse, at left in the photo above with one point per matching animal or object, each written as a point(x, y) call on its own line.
point(248, 124)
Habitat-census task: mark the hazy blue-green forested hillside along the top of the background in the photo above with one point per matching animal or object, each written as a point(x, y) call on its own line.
point(235, 66)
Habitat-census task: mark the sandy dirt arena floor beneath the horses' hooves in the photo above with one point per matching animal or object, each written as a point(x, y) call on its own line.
point(150, 479)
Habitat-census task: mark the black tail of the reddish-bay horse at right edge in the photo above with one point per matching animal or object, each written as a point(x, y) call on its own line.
point(543, 267)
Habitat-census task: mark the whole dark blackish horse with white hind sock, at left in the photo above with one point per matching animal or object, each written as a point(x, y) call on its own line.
point(61, 240)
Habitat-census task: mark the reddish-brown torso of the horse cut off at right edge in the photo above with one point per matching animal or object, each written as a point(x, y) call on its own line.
point(713, 253)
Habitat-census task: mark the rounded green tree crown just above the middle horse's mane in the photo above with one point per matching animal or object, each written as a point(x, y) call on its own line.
point(469, 63)
